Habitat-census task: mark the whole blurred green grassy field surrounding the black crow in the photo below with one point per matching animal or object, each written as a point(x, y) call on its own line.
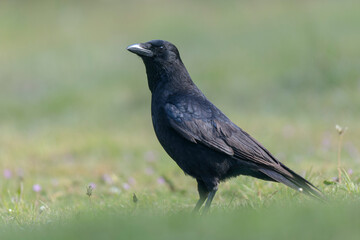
point(75, 110)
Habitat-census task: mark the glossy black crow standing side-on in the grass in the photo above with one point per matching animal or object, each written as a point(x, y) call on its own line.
point(197, 135)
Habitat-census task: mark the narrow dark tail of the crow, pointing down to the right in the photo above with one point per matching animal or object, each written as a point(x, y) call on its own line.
point(293, 180)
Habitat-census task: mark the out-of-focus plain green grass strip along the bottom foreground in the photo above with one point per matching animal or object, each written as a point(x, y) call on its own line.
point(279, 222)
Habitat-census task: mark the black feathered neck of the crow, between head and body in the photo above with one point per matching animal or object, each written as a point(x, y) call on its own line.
point(174, 75)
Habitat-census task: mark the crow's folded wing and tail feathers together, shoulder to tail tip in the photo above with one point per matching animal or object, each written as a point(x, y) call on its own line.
point(205, 124)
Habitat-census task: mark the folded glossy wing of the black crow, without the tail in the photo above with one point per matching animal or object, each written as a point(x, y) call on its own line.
point(208, 126)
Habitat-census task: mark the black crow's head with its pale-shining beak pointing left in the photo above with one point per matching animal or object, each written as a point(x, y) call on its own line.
point(156, 51)
